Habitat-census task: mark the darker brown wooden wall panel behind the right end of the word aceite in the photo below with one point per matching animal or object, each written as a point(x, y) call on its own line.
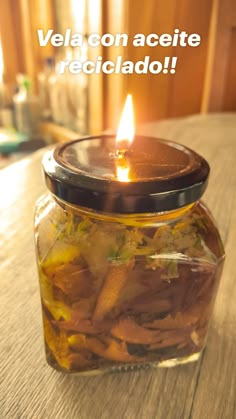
point(186, 87)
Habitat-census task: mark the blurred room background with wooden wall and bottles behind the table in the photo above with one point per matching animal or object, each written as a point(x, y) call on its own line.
point(38, 106)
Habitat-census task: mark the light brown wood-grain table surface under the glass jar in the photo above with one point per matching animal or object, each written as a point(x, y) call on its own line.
point(29, 388)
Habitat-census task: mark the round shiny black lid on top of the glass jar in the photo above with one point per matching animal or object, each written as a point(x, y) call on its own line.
point(163, 175)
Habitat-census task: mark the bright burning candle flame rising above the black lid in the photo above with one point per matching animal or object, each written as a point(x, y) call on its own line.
point(125, 133)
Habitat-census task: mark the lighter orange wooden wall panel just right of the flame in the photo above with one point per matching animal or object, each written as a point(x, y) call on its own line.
point(150, 92)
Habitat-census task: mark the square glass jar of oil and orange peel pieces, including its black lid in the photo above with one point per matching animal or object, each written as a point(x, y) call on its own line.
point(128, 271)
